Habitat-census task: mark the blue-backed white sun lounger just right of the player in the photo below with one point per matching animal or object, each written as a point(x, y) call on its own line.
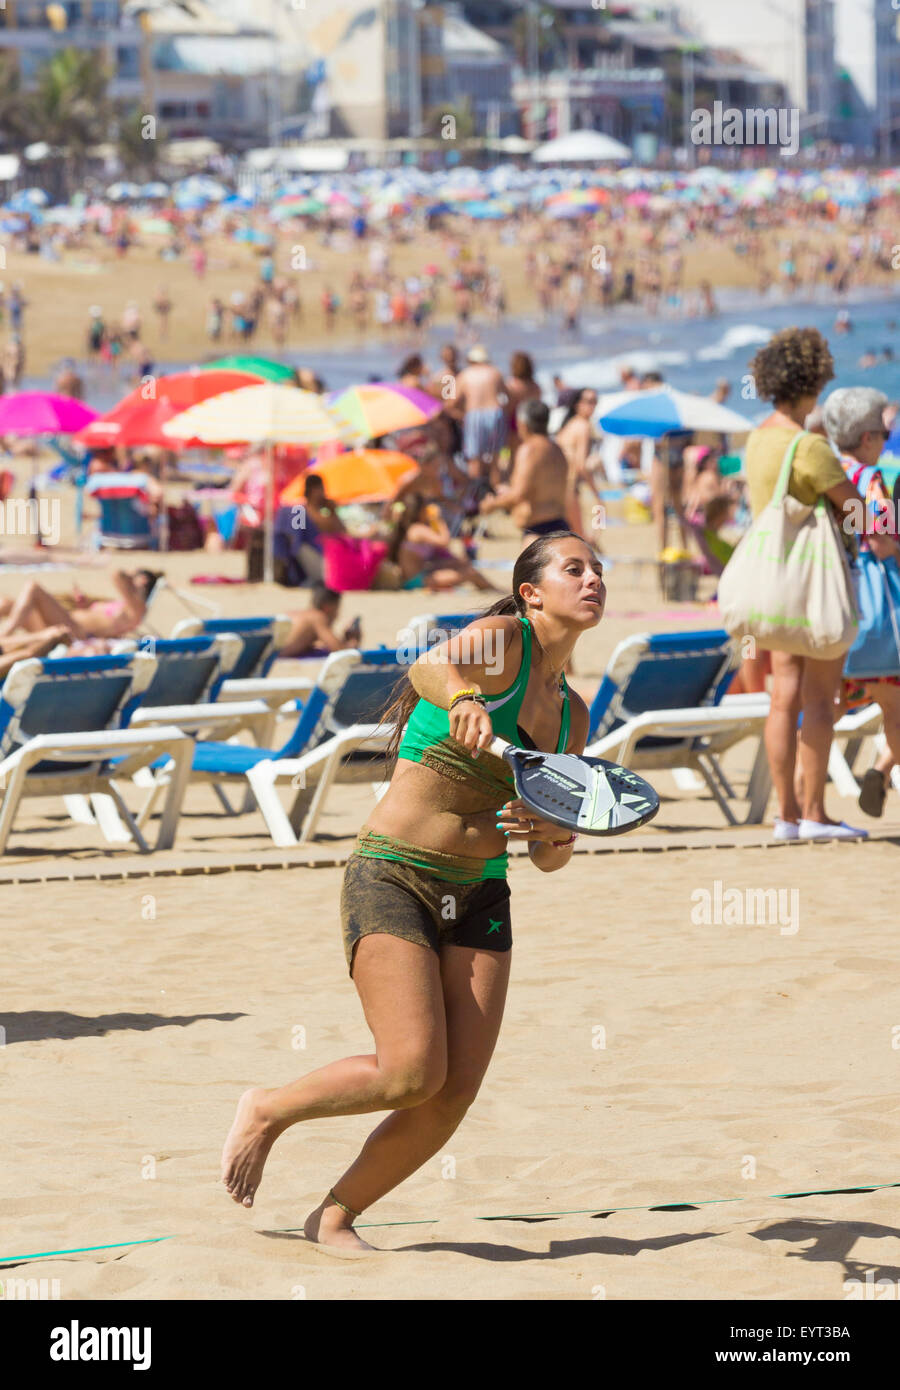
point(663, 704)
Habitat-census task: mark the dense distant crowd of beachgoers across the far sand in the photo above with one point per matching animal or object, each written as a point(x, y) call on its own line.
point(394, 277)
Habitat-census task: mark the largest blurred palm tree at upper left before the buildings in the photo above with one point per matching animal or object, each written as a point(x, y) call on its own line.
point(73, 108)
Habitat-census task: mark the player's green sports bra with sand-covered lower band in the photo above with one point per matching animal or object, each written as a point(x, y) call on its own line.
point(428, 737)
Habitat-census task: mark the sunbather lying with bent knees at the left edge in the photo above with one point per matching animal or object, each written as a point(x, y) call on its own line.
point(79, 615)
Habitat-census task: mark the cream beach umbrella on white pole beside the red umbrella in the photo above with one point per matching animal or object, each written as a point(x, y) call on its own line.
point(265, 415)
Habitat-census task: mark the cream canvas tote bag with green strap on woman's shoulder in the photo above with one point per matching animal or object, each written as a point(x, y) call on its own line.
point(788, 583)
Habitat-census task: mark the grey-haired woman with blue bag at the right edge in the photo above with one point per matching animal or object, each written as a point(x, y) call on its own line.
point(855, 420)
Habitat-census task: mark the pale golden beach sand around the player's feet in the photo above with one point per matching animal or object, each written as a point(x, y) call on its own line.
point(646, 1060)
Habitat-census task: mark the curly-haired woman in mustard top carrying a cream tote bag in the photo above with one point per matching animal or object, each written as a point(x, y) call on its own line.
point(791, 372)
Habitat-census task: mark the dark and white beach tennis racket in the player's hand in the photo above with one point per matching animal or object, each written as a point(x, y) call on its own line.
point(584, 794)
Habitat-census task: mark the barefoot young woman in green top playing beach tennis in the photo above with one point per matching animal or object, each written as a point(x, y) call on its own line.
point(426, 904)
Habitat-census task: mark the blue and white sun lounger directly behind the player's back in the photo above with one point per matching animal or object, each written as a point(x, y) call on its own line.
point(337, 739)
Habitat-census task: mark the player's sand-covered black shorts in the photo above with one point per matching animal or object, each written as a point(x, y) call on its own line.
point(386, 896)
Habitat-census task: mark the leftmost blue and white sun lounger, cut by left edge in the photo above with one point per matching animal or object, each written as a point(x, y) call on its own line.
point(65, 730)
